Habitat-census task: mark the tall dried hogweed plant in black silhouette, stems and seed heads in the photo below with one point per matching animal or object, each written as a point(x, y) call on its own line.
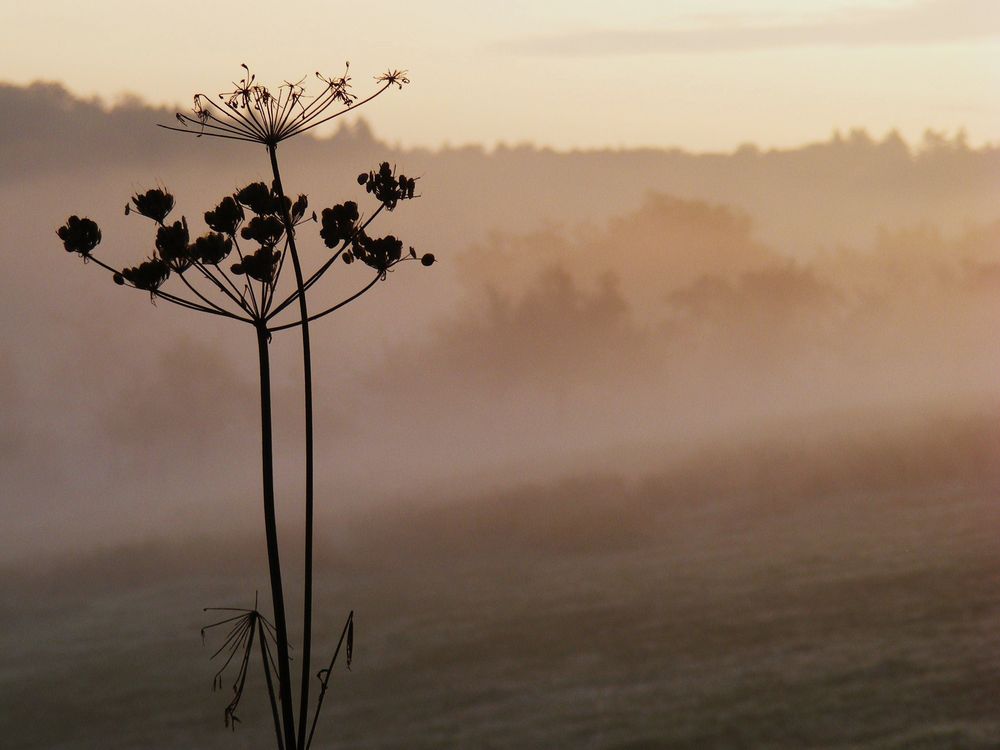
point(235, 270)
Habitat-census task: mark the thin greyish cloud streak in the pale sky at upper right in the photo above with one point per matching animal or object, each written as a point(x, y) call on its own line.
point(922, 22)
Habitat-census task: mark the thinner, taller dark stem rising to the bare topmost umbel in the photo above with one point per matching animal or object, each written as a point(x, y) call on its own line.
point(307, 583)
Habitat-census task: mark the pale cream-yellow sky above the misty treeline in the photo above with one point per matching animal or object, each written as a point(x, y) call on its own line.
point(702, 75)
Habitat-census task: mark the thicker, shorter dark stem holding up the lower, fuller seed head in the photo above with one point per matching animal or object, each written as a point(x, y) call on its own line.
point(271, 533)
